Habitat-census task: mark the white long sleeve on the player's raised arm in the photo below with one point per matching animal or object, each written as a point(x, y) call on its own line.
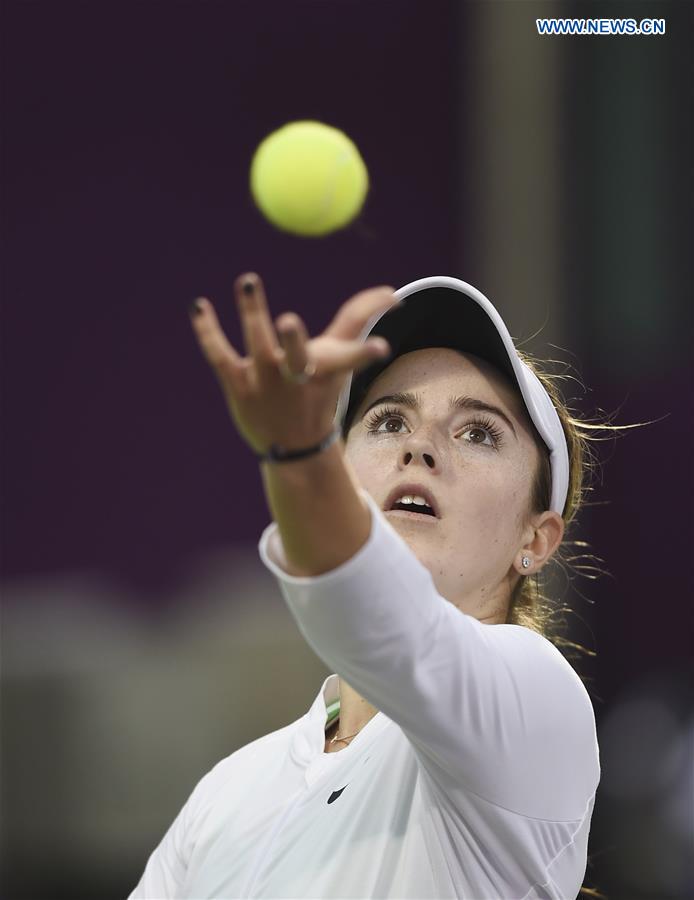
point(493, 709)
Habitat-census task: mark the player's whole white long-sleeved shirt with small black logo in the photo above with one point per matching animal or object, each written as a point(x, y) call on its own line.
point(476, 778)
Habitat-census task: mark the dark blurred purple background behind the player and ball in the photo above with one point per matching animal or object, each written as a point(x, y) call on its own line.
point(140, 630)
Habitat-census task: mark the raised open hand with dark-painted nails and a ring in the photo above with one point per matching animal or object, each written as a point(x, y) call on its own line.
point(266, 406)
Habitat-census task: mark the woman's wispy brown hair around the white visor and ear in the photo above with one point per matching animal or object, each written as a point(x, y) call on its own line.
point(530, 604)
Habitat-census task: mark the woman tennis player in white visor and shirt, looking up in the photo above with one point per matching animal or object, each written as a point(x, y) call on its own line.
point(414, 494)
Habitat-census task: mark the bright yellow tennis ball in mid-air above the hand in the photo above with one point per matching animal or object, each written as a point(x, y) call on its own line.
point(308, 178)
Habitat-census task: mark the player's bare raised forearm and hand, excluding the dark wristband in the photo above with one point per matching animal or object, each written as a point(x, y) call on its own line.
point(306, 496)
